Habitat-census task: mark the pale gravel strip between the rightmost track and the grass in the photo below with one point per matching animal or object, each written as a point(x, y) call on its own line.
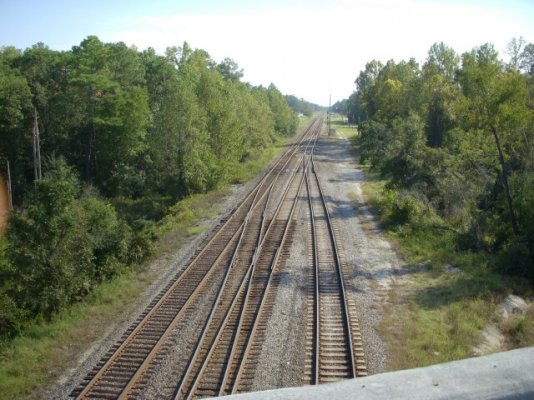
point(370, 259)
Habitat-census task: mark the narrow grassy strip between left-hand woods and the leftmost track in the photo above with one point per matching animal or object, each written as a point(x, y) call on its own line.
point(76, 327)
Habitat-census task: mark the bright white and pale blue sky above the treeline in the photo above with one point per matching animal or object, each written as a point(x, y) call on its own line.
point(312, 49)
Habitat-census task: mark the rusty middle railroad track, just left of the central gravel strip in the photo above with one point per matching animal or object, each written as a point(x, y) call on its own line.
point(215, 366)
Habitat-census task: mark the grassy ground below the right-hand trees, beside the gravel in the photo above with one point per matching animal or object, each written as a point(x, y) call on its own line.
point(445, 296)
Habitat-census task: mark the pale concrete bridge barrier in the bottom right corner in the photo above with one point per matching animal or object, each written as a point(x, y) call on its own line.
point(508, 375)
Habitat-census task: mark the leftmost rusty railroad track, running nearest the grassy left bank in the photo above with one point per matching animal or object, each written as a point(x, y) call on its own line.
point(230, 250)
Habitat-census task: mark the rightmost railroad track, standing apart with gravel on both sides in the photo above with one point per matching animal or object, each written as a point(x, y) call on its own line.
point(334, 346)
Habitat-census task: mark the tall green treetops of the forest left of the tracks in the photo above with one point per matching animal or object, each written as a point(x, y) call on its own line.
point(132, 123)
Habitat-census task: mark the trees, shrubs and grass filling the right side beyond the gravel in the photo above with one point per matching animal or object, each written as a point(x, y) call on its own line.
point(449, 153)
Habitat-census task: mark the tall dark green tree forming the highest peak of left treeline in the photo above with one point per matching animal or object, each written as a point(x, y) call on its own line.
point(113, 110)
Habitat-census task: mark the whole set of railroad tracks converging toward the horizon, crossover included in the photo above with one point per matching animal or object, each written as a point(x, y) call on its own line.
point(233, 277)
